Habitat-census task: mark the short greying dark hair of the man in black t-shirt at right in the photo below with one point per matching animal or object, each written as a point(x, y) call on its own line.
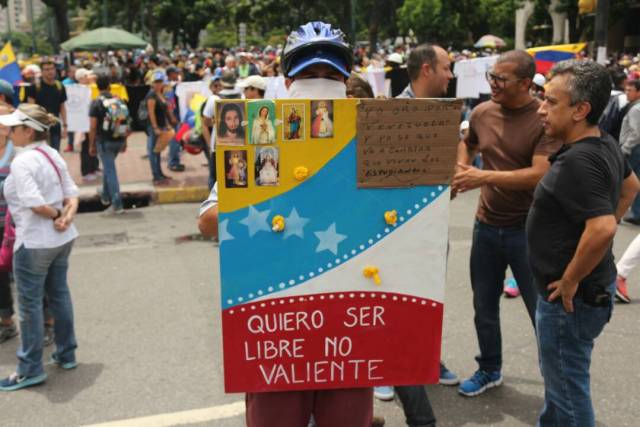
point(589, 82)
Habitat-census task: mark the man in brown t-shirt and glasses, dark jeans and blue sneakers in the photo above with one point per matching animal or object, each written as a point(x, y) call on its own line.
point(509, 134)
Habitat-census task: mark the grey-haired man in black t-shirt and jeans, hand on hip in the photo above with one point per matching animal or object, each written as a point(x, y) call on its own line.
point(570, 230)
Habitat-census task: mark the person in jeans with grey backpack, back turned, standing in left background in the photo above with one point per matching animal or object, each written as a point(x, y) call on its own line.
point(106, 146)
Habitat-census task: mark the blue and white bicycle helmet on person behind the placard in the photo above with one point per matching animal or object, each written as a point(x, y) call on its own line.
point(316, 43)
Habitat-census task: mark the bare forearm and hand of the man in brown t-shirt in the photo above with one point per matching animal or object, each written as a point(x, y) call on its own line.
point(520, 179)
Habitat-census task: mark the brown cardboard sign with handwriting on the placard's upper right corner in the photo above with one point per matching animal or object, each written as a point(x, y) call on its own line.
point(407, 142)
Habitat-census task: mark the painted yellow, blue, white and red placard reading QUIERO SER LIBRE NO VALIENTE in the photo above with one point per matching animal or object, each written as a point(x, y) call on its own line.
point(298, 310)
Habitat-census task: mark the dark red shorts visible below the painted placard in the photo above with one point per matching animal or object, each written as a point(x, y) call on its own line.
point(331, 408)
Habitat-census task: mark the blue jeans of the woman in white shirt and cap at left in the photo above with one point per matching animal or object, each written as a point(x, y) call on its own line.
point(38, 272)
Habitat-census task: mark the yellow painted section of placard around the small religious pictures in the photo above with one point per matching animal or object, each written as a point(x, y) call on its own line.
point(312, 153)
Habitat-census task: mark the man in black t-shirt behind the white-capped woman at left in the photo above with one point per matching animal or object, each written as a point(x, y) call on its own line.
point(50, 93)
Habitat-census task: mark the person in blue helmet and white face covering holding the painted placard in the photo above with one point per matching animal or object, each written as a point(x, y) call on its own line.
point(317, 60)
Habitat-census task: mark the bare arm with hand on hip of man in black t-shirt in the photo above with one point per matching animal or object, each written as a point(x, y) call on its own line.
point(594, 242)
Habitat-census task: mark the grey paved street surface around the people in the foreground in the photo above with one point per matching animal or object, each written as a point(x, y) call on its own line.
point(148, 325)
